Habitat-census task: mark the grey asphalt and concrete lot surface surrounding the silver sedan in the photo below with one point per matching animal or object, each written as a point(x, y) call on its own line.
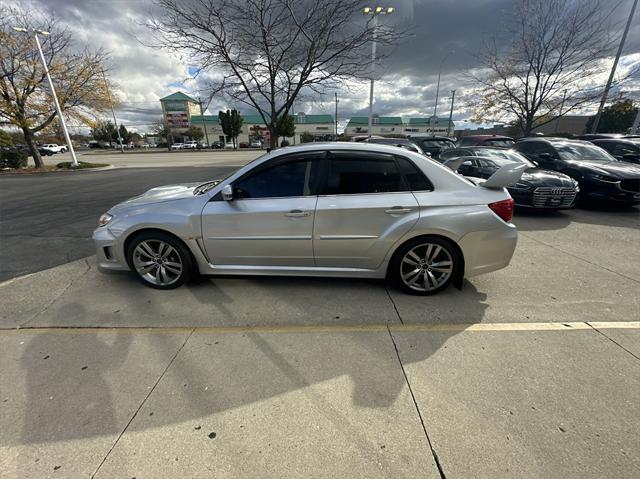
point(531, 371)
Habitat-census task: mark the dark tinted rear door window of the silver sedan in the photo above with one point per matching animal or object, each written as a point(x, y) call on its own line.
point(354, 173)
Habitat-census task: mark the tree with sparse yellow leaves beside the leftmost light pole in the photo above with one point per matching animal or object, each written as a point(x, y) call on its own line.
point(25, 99)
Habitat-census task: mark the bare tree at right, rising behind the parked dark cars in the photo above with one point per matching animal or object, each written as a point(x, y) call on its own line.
point(546, 64)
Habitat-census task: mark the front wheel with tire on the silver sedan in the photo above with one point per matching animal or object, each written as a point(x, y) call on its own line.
point(160, 260)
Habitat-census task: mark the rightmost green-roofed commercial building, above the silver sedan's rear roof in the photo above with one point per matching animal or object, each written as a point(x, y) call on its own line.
point(395, 125)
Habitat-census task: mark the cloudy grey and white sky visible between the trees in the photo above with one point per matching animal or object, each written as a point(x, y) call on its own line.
point(451, 28)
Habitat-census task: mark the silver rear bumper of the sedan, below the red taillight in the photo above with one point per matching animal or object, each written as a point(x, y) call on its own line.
point(486, 251)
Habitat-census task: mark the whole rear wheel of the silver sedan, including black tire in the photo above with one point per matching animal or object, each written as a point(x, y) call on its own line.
point(425, 266)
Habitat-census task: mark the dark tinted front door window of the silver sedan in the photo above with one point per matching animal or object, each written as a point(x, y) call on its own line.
point(292, 178)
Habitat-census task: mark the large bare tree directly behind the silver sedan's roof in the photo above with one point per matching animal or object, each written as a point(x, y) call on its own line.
point(266, 53)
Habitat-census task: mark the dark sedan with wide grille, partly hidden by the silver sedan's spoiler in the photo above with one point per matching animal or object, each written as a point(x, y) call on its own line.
point(537, 188)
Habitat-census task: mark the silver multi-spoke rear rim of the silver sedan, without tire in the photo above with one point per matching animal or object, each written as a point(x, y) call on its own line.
point(426, 267)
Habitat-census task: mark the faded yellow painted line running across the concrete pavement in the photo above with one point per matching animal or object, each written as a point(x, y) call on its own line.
point(336, 328)
